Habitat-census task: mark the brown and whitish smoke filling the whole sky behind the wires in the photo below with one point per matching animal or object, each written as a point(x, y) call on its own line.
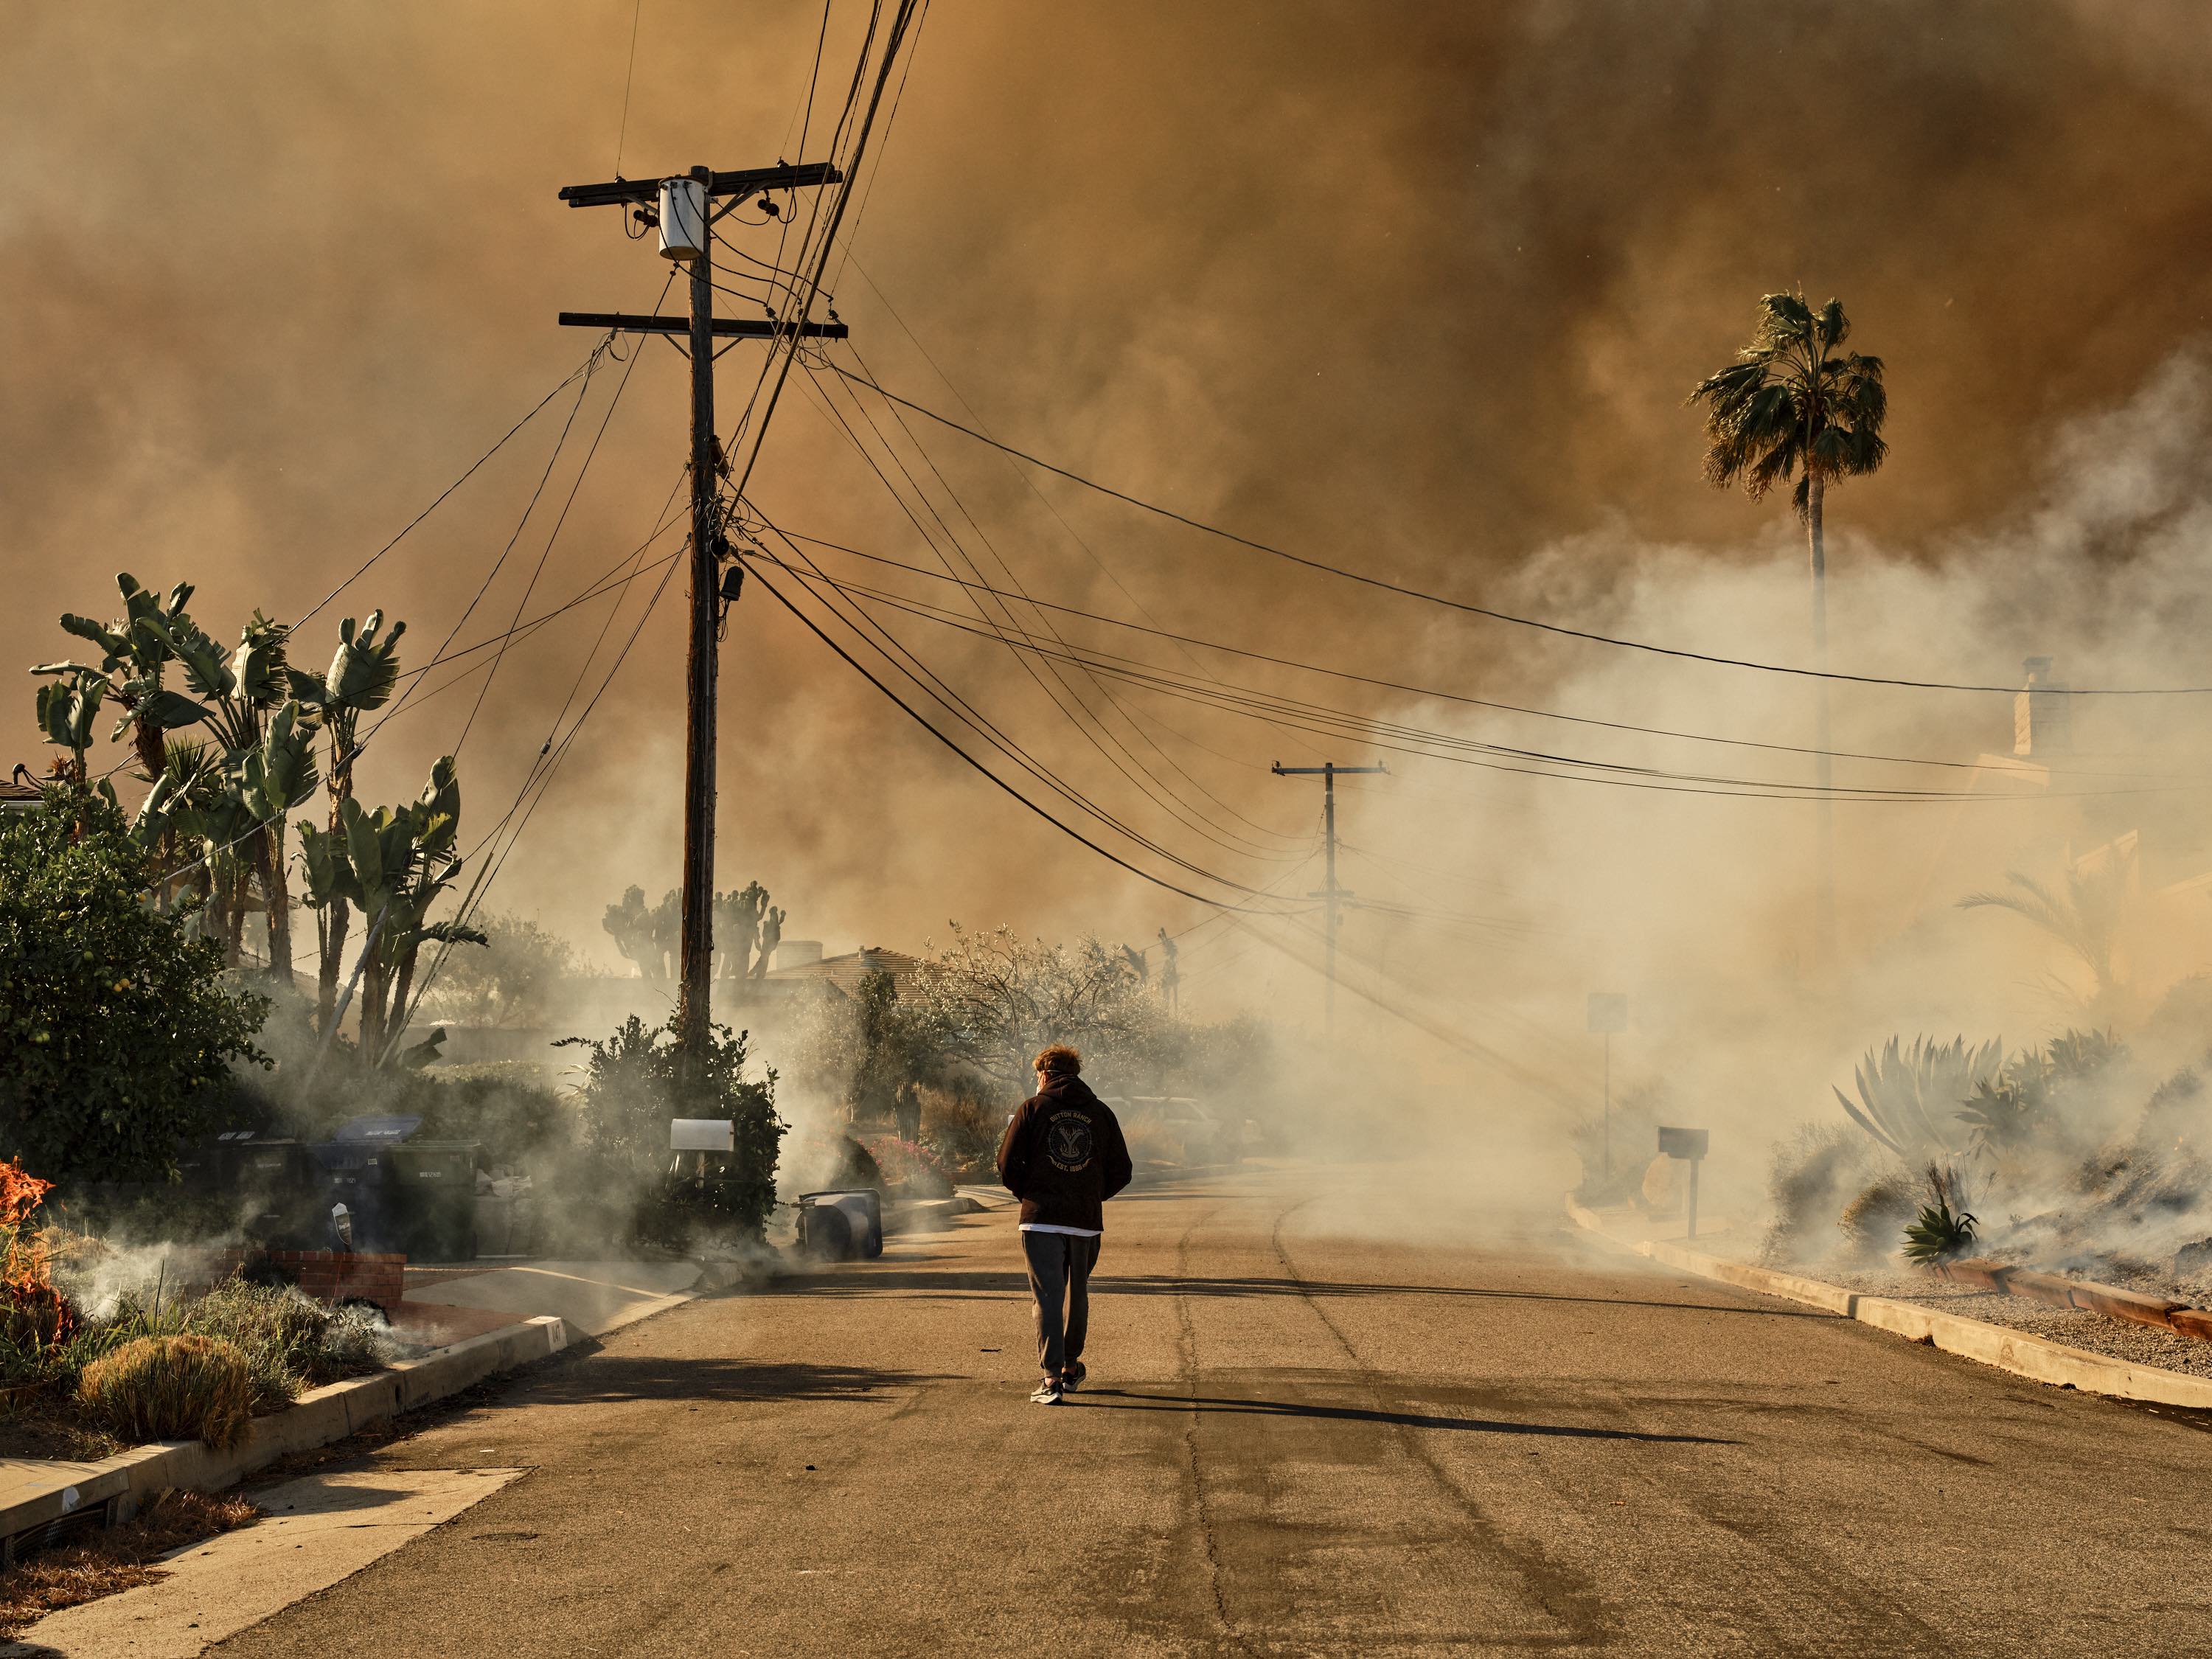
point(1417, 293)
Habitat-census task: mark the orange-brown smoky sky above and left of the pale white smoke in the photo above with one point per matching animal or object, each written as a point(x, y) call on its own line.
point(1410, 289)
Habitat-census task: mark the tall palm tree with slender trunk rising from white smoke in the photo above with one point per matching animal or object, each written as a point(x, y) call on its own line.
point(1795, 406)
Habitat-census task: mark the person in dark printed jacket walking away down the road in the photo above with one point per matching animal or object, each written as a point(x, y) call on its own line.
point(1063, 1158)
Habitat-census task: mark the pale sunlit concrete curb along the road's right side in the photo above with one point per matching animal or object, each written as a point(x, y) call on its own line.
point(2018, 1353)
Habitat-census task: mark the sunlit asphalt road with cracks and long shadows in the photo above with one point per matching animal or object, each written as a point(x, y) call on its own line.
point(1300, 1441)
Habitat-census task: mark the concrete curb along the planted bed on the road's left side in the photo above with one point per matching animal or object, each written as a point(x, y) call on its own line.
point(116, 1485)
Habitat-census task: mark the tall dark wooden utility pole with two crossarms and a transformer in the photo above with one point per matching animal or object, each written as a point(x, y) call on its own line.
point(685, 216)
